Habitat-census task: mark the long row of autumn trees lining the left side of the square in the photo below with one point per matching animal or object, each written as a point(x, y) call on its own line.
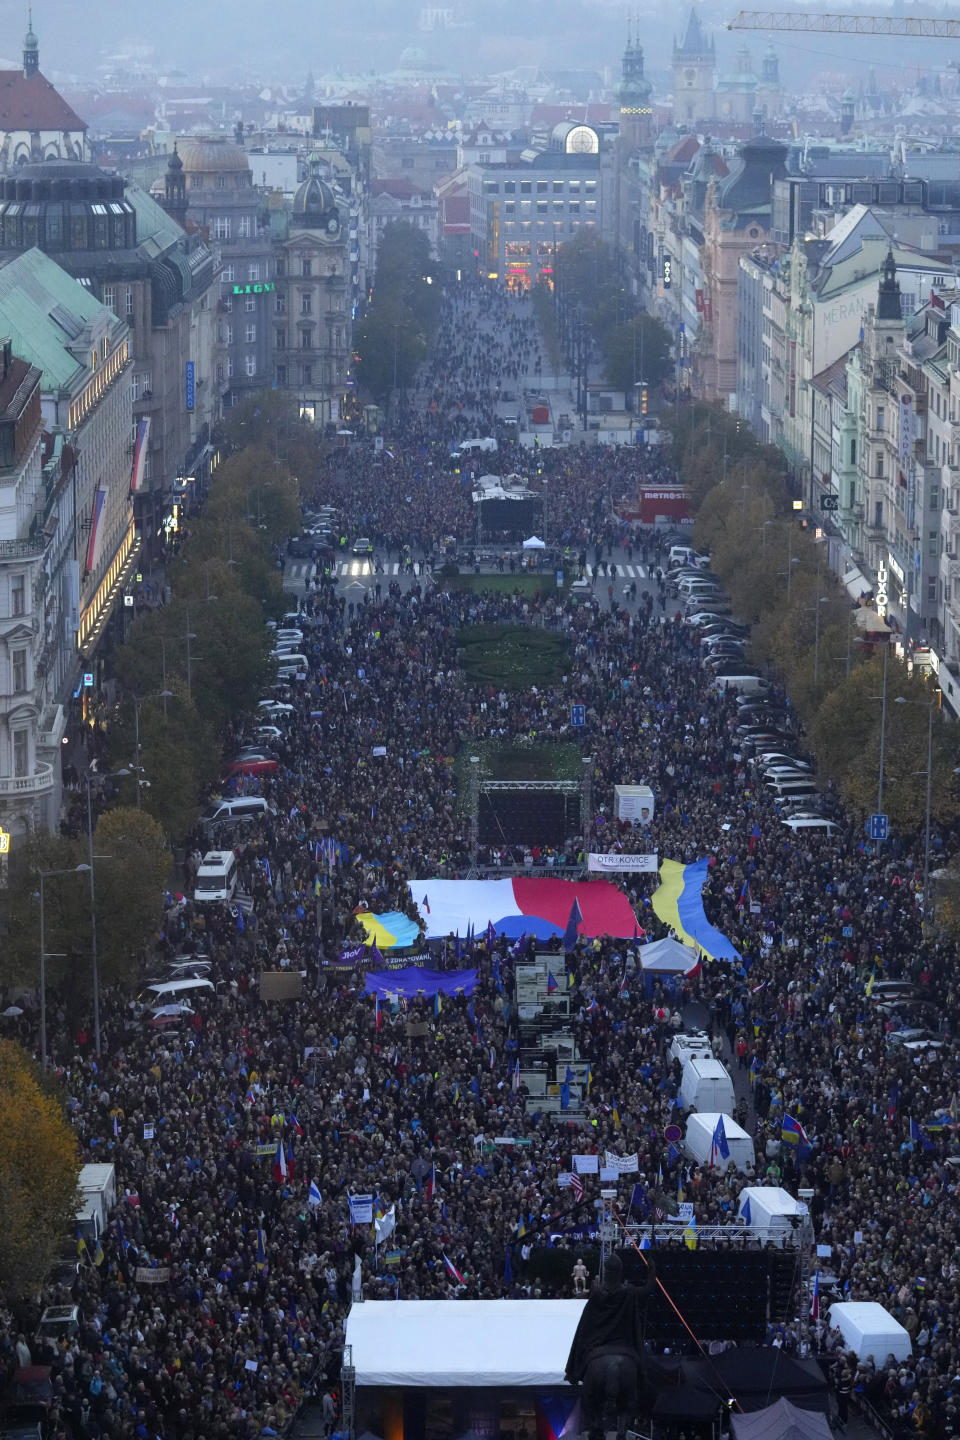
point(185, 672)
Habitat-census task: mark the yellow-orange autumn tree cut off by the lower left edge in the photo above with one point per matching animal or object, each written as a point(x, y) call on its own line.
point(40, 1169)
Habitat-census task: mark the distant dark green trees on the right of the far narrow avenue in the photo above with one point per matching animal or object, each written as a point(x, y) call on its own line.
point(591, 289)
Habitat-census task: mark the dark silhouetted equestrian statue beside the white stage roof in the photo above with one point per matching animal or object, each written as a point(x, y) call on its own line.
point(608, 1349)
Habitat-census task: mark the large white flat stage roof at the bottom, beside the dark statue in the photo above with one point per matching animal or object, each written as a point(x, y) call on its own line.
point(461, 1343)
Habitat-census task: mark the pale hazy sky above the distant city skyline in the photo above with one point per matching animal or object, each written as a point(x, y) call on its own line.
point(283, 40)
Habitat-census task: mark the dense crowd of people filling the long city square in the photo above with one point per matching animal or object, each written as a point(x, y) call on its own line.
point(392, 1101)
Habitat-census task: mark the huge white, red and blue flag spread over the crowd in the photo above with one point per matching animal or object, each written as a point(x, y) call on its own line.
point(515, 908)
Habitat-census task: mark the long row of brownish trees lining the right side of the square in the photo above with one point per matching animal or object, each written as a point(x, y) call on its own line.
point(804, 626)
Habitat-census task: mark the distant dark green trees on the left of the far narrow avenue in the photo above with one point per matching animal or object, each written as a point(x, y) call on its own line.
point(394, 336)
